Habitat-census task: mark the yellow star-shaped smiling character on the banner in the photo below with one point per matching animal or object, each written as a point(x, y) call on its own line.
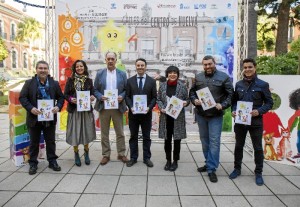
point(112, 37)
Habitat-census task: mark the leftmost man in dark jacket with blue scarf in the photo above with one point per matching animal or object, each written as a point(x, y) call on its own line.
point(41, 86)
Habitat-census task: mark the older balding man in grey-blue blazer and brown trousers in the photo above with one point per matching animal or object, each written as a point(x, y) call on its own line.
point(107, 79)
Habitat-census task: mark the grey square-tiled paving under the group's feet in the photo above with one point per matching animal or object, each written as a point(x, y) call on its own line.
point(119, 186)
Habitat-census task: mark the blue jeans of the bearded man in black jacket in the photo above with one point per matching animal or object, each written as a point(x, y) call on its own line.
point(210, 129)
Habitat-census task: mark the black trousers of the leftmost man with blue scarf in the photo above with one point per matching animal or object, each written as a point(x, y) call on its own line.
point(35, 136)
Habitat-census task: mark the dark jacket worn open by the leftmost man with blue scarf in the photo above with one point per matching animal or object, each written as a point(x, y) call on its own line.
point(29, 94)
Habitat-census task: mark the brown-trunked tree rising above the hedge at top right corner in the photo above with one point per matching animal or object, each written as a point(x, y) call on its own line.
point(281, 12)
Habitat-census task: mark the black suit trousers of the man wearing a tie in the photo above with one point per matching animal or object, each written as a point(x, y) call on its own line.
point(135, 121)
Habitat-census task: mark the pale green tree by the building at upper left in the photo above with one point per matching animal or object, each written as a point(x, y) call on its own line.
point(28, 31)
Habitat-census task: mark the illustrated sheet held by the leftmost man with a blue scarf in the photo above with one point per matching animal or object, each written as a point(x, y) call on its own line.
point(45, 106)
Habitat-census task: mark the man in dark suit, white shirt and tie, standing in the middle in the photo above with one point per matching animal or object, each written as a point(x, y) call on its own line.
point(140, 84)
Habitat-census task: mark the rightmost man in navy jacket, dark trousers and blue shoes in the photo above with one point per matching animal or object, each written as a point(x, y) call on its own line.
point(251, 89)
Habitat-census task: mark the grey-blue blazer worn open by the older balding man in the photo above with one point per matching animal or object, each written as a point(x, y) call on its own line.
point(100, 86)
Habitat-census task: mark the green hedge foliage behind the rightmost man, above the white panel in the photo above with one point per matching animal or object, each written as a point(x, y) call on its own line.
point(285, 64)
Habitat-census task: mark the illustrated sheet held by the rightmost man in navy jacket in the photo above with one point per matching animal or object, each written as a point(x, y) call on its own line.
point(243, 111)
